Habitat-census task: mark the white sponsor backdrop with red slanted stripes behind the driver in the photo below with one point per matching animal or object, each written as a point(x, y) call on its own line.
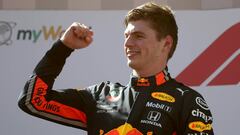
point(207, 58)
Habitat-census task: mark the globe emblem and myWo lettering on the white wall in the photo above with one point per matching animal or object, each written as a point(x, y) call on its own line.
point(8, 29)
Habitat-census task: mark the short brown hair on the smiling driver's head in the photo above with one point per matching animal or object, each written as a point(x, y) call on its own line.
point(161, 19)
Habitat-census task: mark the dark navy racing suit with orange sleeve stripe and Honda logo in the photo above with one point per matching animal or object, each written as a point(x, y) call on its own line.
point(155, 105)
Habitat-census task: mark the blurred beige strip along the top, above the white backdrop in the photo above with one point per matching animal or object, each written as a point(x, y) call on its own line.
point(113, 4)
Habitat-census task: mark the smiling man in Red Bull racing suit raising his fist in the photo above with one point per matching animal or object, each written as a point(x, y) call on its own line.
point(151, 104)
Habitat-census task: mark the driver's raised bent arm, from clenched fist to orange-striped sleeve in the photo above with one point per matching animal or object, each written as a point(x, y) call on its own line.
point(39, 99)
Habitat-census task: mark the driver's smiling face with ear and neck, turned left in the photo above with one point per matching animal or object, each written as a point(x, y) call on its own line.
point(145, 53)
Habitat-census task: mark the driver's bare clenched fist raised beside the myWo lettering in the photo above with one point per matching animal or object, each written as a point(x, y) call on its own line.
point(77, 36)
